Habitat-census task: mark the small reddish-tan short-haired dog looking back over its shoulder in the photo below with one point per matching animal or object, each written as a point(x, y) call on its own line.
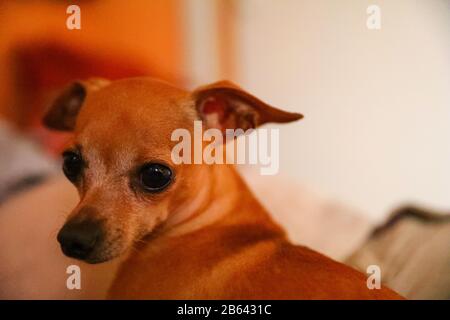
point(189, 231)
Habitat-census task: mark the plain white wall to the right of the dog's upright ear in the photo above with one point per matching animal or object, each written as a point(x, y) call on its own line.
point(376, 131)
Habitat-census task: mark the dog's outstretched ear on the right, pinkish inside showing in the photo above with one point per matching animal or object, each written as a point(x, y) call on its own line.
point(223, 105)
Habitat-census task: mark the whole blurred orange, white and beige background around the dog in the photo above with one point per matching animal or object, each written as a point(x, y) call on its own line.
point(375, 135)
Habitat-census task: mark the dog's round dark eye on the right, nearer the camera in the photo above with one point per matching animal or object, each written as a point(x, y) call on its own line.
point(154, 177)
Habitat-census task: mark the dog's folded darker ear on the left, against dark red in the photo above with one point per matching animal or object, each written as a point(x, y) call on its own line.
point(62, 113)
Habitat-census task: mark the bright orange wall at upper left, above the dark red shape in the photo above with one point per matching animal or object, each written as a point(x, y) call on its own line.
point(146, 32)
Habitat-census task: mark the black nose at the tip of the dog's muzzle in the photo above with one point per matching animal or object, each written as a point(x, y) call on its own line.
point(79, 238)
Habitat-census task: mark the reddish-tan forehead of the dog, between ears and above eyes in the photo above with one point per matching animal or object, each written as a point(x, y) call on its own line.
point(136, 115)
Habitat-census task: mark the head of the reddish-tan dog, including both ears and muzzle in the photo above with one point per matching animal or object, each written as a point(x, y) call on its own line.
point(119, 157)
